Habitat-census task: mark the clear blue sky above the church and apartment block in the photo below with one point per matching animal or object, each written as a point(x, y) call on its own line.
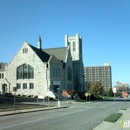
point(103, 24)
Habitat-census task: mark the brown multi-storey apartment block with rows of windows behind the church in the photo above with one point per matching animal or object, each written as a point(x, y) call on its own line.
point(99, 73)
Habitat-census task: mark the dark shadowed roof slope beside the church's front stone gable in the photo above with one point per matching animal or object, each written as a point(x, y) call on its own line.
point(41, 54)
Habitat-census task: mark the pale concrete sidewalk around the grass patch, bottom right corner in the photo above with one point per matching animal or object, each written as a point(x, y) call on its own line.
point(115, 126)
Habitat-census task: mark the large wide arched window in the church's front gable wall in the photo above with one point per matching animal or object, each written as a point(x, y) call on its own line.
point(25, 72)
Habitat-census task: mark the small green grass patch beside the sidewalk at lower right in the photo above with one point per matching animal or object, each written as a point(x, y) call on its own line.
point(113, 118)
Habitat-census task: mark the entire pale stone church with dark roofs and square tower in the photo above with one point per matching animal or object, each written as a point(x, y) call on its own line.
point(36, 71)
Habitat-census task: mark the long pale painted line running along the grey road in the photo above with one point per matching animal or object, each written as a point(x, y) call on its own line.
point(40, 119)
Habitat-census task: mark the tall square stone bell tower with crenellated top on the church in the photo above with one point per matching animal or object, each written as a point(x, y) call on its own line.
point(75, 44)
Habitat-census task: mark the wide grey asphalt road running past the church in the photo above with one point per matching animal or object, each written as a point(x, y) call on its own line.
point(79, 116)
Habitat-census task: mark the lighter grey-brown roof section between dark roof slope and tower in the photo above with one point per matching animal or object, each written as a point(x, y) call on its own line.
point(59, 53)
